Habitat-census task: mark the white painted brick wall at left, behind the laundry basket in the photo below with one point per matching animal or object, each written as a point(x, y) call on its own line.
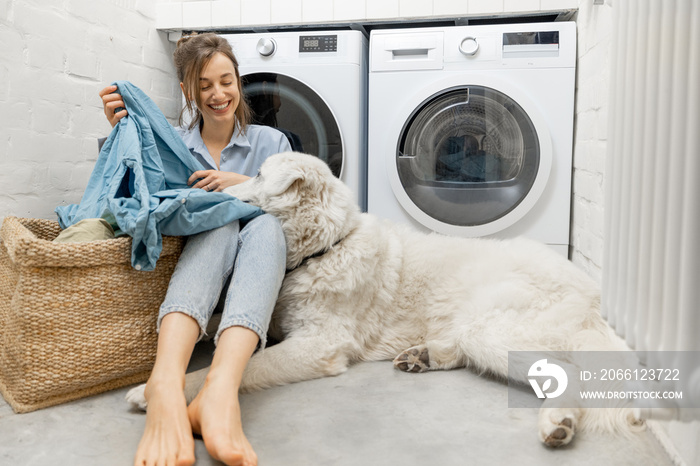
point(53, 61)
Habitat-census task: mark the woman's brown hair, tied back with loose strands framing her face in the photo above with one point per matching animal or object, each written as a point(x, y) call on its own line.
point(191, 55)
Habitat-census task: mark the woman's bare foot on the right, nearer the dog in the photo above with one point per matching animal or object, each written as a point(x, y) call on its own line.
point(215, 414)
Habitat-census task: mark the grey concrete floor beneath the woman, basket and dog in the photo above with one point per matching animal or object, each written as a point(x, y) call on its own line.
point(371, 415)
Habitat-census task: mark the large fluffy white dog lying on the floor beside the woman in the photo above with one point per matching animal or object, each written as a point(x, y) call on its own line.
point(362, 289)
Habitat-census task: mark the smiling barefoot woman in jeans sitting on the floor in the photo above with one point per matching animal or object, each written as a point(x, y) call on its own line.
point(230, 151)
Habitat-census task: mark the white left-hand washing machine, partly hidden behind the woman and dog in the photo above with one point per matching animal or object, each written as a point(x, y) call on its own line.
point(312, 86)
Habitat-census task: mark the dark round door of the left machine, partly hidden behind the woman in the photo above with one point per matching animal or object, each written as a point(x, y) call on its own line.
point(296, 110)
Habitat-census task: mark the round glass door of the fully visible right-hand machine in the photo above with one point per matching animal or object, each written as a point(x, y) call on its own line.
point(467, 158)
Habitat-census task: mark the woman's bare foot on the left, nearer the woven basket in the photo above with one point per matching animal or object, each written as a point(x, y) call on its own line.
point(167, 438)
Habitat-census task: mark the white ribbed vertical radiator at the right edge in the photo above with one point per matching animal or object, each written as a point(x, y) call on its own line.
point(651, 269)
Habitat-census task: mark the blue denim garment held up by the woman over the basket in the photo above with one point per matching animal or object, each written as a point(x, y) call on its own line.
point(140, 177)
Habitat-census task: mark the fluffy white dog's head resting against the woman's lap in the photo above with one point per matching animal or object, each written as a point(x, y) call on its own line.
point(315, 208)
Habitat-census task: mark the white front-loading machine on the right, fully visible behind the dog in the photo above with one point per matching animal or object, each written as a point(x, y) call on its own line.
point(471, 128)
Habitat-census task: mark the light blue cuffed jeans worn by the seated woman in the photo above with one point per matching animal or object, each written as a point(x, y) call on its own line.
point(252, 259)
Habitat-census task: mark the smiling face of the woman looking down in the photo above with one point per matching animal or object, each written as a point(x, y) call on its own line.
point(218, 91)
